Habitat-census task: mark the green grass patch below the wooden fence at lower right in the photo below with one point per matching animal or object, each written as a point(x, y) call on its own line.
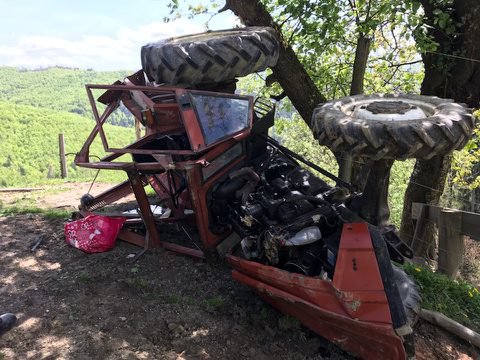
point(456, 299)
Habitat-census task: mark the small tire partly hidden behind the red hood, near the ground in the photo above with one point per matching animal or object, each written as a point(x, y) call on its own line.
point(409, 294)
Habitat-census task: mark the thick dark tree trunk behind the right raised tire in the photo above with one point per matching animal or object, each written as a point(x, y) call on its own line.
point(446, 75)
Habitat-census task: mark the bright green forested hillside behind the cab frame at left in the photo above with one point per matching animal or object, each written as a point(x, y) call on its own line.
point(35, 106)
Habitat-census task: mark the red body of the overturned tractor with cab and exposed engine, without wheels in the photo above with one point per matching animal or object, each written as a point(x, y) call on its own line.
point(205, 156)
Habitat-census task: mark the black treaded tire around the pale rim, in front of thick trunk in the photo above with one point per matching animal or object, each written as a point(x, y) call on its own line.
point(447, 128)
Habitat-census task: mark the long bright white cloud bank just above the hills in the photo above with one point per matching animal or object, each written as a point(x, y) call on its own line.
point(99, 52)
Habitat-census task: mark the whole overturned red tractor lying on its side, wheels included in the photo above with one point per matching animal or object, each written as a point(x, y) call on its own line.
point(303, 245)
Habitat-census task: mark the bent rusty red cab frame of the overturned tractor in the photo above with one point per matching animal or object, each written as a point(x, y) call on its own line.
point(180, 119)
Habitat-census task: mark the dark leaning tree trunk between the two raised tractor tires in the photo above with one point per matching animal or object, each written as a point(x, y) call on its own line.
point(289, 72)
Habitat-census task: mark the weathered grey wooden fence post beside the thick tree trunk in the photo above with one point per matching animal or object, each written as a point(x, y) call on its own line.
point(451, 242)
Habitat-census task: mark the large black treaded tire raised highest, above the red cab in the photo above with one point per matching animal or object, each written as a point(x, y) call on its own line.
point(211, 57)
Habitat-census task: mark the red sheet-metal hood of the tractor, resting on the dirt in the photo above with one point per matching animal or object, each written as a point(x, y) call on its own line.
point(351, 311)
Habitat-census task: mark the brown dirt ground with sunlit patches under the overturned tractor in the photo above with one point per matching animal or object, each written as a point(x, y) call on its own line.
point(76, 306)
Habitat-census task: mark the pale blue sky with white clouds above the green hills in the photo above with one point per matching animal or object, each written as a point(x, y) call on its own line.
point(89, 34)
